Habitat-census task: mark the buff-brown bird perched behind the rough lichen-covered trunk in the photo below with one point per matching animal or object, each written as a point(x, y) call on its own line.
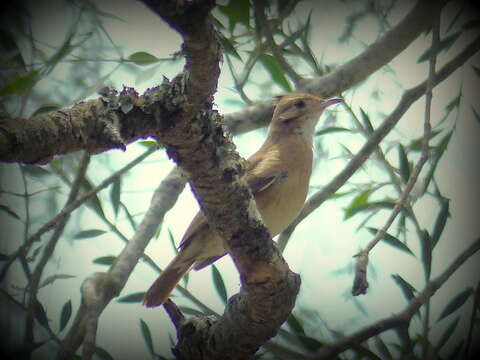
point(278, 175)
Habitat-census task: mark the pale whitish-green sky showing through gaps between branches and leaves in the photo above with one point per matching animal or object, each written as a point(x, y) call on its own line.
point(322, 246)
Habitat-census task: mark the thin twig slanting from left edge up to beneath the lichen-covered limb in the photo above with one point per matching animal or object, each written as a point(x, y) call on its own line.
point(23, 249)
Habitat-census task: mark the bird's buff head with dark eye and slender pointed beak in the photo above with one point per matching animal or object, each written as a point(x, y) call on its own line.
point(298, 114)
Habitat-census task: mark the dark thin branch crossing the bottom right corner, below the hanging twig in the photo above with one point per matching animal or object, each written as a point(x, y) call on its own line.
point(401, 319)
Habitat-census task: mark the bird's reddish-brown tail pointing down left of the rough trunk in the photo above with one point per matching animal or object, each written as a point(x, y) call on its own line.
point(160, 290)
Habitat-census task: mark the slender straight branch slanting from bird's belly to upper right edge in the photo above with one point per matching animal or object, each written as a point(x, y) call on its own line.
point(408, 98)
